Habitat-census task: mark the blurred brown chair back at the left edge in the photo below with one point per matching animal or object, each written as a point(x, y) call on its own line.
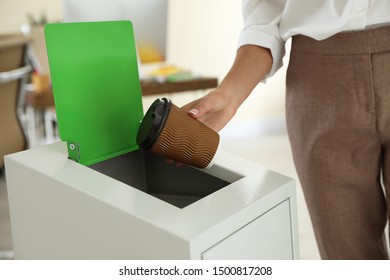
point(13, 72)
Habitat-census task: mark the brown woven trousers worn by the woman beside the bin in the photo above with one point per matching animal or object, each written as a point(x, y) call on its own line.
point(338, 118)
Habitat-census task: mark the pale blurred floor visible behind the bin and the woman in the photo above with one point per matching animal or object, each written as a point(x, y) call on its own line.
point(271, 150)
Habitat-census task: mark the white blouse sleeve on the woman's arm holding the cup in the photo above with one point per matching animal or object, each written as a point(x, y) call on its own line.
point(261, 28)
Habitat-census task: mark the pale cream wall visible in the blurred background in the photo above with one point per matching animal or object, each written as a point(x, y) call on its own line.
point(202, 37)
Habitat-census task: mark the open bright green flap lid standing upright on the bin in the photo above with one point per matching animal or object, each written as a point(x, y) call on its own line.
point(96, 87)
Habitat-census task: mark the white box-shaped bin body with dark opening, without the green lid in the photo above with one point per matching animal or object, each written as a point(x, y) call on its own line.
point(139, 207)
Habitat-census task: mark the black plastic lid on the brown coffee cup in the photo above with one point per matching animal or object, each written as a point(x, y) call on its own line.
point(153, 123)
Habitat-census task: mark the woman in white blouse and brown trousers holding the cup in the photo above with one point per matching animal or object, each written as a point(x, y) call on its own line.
point(338, 110)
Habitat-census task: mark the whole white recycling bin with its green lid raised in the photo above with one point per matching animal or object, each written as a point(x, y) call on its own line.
point(96, 195)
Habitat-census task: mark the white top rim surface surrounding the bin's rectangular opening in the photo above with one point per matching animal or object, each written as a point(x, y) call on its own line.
point(247, 197)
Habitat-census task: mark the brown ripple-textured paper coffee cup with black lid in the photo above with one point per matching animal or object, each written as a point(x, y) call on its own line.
point(168, 131)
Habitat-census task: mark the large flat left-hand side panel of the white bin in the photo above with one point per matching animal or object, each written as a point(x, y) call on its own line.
point(52, 220)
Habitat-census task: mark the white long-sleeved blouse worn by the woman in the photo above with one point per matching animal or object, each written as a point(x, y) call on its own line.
point(269, 23)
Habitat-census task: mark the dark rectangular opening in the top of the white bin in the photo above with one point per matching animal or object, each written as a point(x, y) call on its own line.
point(152, 174)
